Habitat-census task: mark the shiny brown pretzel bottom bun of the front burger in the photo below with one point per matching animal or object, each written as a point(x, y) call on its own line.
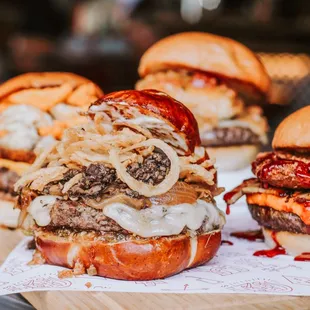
point(135, 259)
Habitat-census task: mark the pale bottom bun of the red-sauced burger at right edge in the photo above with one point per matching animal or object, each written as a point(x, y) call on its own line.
point(294, 244)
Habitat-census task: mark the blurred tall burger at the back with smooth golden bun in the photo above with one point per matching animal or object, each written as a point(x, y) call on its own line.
point(222, 82)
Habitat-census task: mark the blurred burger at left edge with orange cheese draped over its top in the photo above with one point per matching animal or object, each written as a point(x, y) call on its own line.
point(34, 110)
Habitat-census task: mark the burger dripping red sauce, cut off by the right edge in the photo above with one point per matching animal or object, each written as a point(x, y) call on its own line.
point(279, 196)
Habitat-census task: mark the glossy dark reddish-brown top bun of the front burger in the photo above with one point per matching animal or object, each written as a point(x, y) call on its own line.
point(155, 111)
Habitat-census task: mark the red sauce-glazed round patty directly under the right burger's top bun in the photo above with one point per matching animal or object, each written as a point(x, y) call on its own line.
point(283, 170)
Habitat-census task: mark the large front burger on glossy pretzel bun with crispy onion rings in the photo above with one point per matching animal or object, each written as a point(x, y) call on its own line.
point(128, 195)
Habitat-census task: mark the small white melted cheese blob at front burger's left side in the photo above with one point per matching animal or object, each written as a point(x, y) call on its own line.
point(40, 209)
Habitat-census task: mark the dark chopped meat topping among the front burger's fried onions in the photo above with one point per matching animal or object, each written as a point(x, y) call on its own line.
point(99, 179)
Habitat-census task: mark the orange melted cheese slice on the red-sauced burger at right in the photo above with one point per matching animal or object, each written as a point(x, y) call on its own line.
point(285, 204)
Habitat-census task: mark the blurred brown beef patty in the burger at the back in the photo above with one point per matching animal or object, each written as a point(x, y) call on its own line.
point(229, 136)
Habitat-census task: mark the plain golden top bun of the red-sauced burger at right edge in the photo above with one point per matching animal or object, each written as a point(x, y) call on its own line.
point(294, 131)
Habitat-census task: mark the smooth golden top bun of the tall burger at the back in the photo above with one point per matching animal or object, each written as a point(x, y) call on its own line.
point(220, 56)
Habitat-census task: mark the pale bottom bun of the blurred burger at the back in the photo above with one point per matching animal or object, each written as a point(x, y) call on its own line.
point(230, 158)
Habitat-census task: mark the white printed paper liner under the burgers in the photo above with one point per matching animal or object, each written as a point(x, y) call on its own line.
point(233, 270)
